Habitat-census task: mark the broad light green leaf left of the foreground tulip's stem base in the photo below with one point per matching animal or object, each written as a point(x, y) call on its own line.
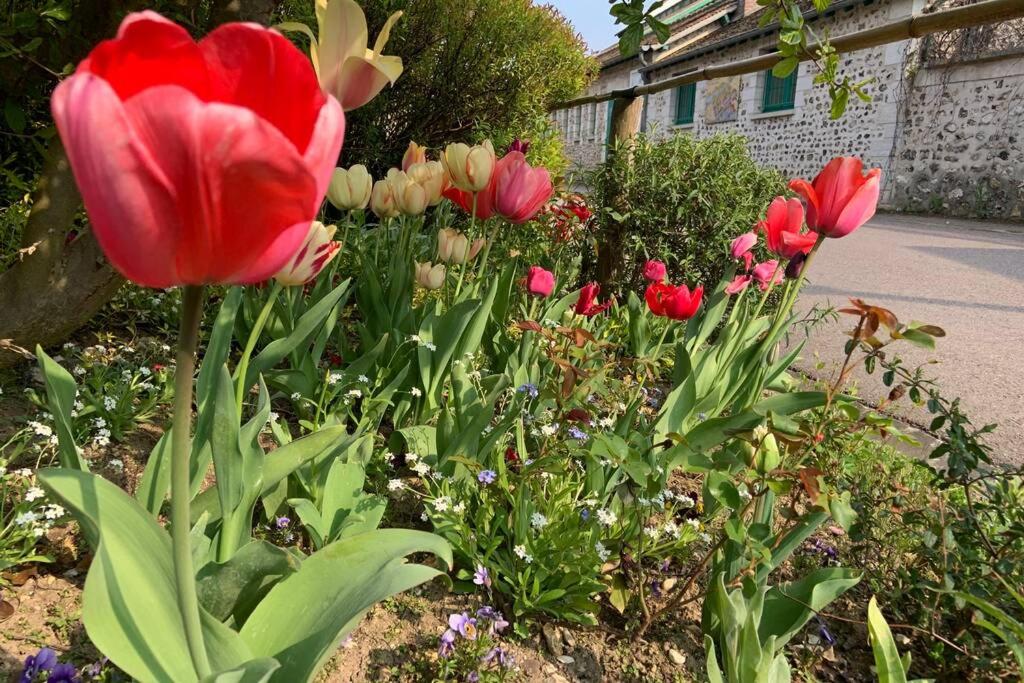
point(130, 606)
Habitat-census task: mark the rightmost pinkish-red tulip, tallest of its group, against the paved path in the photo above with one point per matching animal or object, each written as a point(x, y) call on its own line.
point(841, 199)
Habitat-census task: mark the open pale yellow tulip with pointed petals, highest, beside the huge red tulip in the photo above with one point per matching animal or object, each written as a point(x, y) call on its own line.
point(348, 69)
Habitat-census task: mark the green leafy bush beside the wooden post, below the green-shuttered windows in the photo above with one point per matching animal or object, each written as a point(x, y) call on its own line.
point(682, 201)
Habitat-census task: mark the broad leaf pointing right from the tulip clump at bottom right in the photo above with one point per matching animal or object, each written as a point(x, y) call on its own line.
point(785, 613)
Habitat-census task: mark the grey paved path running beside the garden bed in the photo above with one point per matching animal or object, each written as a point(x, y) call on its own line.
point(966, 277)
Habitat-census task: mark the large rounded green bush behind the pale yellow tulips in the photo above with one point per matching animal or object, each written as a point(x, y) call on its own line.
point(472, 66)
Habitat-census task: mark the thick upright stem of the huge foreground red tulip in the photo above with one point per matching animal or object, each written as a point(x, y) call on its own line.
point(185, 575)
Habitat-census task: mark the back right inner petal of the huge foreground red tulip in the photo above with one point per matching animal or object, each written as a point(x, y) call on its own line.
point(259, 69)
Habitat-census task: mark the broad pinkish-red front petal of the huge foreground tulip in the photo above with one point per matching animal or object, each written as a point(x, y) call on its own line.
point(217, 157)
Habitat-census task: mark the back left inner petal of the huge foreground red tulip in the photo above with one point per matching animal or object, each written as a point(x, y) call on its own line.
point(149, 51)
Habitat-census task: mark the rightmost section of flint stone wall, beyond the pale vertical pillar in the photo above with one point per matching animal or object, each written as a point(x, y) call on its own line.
point(960, 149)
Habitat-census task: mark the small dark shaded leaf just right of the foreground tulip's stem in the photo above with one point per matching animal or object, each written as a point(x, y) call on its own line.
point(233, 589)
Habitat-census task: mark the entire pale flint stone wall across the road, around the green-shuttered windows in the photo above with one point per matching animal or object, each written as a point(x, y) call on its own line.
point(948, 139)
